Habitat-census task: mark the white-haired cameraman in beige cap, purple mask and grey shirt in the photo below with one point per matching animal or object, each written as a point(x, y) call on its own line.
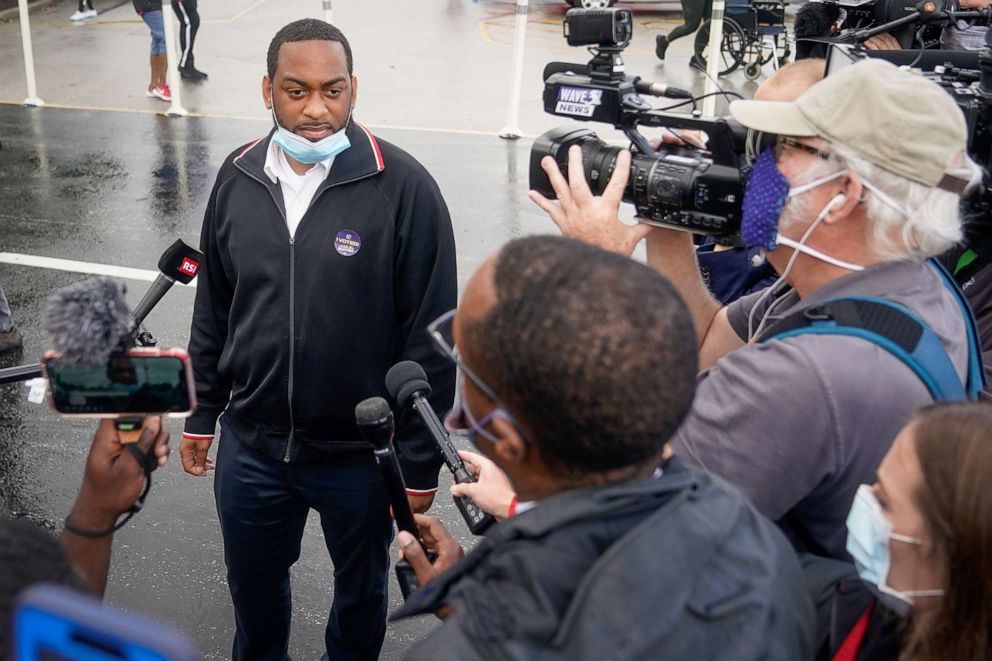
point(864, 186)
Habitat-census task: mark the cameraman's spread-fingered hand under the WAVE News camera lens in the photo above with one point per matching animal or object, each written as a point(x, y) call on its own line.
point(581, 215)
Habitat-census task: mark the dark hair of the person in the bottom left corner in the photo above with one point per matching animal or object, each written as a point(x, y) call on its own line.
point(29, 555)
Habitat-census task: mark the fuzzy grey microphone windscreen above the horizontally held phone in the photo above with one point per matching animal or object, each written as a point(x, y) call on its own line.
point(87, 320)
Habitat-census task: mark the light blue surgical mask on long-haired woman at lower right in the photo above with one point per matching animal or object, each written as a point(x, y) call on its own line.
point(868, 534)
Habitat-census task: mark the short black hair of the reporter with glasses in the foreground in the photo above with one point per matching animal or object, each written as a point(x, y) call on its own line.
point(594, 354)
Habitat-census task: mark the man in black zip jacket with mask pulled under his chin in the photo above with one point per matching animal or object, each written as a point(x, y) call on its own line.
point(327, 253)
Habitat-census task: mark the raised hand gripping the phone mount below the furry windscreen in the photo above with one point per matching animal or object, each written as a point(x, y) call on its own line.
point(113, 479)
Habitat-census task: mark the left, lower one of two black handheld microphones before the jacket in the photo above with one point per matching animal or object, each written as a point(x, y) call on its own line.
point(375, 423)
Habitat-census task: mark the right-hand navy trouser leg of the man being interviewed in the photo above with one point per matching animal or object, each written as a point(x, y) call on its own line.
point(354, 515)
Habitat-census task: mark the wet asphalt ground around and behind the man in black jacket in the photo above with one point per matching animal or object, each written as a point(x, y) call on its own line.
point(100, 178)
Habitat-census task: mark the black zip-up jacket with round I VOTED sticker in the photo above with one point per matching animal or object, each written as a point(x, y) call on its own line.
point(289, 334)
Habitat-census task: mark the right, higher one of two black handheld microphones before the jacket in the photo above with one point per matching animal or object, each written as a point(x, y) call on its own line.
point(407, 383)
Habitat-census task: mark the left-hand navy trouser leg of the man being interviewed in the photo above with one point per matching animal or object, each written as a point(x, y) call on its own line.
point(262, 520)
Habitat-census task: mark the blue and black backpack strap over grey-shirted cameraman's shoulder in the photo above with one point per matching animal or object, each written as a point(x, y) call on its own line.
point(888, 325)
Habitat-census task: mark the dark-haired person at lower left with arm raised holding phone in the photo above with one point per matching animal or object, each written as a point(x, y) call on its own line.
point(112, 483)
